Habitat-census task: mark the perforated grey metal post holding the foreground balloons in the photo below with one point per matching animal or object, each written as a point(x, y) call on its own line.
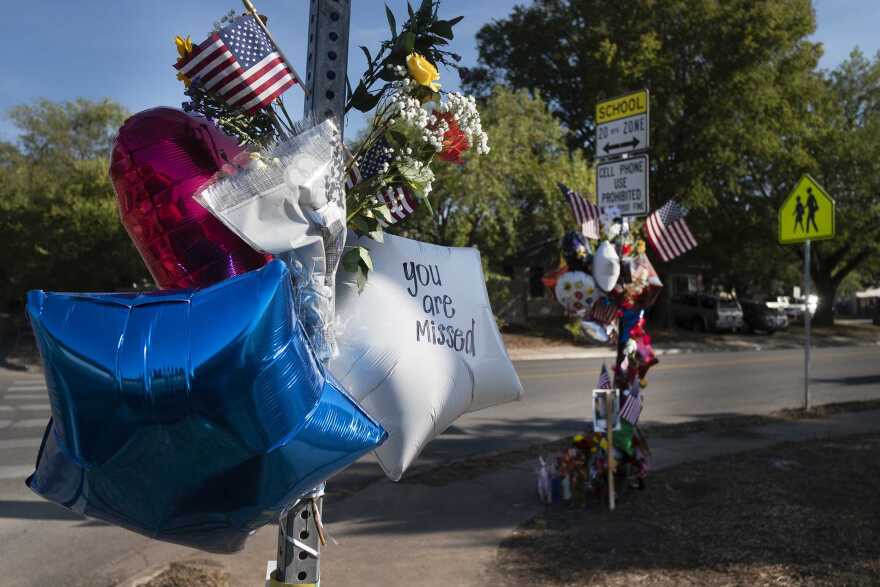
point(300, 534)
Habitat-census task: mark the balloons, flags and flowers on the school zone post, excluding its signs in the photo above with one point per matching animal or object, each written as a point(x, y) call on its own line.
point(606, 283)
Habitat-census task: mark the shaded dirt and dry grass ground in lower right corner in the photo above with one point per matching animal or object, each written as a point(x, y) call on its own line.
point(795, 514)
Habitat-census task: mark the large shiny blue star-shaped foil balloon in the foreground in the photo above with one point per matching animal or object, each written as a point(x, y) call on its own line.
point(193, 417)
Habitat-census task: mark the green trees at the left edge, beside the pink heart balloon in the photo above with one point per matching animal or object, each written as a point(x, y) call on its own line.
point(59, 223)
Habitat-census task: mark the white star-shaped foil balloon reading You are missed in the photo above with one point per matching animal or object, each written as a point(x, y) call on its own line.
point(420, 344)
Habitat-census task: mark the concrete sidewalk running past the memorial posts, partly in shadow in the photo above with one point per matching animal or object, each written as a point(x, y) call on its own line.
point(433, 532)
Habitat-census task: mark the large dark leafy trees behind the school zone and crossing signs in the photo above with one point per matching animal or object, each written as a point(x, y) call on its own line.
point(738, 113)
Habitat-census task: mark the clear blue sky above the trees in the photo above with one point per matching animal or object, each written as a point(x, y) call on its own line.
point(123, 49)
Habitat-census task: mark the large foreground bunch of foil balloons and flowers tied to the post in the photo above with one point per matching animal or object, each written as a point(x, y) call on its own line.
point(197, 413)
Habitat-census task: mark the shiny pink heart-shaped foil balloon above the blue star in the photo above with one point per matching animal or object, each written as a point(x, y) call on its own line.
point(161, 158)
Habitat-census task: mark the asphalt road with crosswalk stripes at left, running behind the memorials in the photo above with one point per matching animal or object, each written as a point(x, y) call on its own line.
point(44, 544)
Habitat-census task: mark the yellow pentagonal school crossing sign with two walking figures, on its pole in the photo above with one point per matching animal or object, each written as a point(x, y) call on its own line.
point(806, 215)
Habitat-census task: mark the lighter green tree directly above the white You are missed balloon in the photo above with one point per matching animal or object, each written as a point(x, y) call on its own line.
point(507, 200)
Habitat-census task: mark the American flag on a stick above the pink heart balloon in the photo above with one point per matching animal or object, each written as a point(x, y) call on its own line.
point(240, 64)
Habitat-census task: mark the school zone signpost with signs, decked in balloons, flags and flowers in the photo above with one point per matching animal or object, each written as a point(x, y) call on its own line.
point(606, 282)
